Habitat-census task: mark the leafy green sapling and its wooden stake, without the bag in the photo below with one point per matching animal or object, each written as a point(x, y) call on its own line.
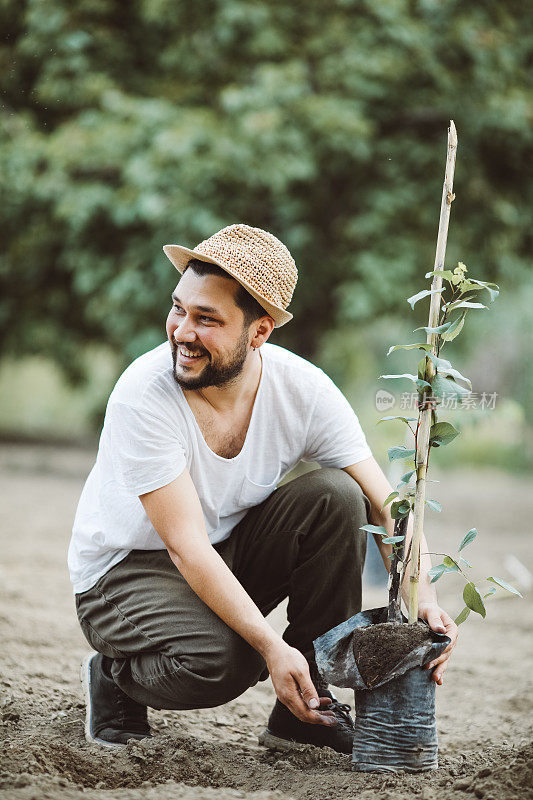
point(436, 380)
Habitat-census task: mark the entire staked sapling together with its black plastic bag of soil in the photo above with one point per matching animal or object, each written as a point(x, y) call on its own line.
point(381, 660)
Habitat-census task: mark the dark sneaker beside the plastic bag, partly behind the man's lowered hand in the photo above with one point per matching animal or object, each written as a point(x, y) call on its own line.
point(286, 732)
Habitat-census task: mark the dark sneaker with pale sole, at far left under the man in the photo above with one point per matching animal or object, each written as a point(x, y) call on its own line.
point(111, 717)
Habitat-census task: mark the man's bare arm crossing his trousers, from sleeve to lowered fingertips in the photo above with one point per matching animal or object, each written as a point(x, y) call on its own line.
point(176, 514)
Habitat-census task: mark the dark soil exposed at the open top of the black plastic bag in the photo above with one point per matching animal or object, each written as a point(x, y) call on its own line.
point(379, 648)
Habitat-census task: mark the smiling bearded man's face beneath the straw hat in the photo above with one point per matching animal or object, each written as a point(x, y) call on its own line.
point(206, 333)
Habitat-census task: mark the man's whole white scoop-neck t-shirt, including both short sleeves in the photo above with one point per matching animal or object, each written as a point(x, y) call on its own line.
point(150, 435)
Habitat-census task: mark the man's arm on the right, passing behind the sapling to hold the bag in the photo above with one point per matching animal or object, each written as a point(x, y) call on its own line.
point(376, 487)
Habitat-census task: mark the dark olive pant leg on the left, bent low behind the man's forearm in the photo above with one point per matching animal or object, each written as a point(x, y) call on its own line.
point(169, 649)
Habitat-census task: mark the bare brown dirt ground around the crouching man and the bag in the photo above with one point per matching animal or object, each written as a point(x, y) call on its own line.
point(484, 709)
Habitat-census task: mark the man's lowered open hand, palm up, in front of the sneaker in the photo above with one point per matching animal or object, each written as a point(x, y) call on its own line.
point(292, 682)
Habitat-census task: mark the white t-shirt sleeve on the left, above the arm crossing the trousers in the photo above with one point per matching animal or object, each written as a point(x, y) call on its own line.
point(145, 451)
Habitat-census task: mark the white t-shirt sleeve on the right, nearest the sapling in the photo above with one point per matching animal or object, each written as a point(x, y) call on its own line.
point(335, 437)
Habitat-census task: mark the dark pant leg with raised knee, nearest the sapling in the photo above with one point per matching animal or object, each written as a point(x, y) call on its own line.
point(304, 542)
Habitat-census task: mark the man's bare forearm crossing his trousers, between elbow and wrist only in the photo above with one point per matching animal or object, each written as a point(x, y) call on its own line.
point(211, 579)
